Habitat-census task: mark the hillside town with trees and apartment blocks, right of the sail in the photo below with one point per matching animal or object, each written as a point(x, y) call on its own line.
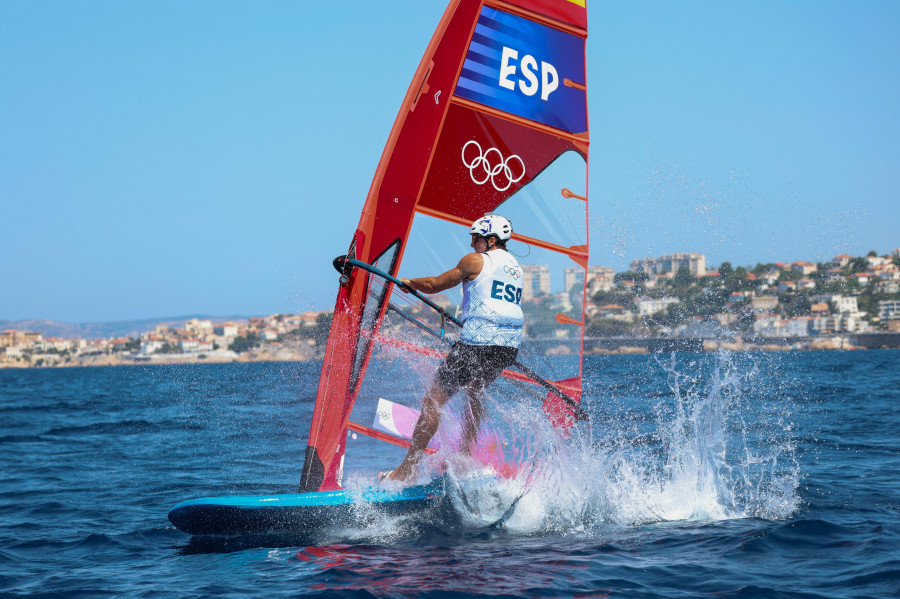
point(678, 295)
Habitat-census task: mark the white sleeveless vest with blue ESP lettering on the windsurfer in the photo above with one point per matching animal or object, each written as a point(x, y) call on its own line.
point(491, 310)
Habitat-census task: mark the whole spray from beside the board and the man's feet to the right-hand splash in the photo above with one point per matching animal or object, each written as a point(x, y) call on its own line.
point(705, 440)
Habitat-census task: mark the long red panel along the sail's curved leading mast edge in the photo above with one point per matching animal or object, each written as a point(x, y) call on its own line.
point(383, 227)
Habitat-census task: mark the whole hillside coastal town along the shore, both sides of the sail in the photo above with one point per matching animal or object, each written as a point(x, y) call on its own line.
point(801, 305)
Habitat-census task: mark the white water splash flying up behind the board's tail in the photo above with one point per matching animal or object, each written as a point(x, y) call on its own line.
point(715, 447)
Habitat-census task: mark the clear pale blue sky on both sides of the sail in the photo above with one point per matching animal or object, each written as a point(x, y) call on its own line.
point(165, 158)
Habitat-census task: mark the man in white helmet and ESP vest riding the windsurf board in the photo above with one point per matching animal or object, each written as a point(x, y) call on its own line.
point(492, 329)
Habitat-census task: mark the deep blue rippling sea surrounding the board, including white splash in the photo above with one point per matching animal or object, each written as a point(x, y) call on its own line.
point(699, 475)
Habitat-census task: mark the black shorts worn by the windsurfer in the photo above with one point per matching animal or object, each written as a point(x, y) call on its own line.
point(473, 366)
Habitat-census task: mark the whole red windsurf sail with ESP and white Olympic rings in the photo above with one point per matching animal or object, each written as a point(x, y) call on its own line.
point(495, 120)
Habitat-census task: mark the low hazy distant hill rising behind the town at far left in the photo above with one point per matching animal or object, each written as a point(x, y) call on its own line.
point(102, 330)
